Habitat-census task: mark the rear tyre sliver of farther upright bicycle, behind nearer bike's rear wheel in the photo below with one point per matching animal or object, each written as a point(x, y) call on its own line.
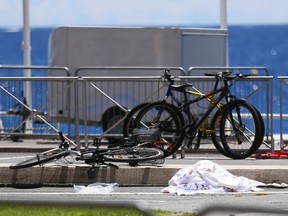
point(129, 120)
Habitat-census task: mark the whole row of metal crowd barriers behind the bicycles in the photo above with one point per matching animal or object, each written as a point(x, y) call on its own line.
point(74, 104)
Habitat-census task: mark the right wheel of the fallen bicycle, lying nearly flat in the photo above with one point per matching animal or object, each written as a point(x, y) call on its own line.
point(133, 154)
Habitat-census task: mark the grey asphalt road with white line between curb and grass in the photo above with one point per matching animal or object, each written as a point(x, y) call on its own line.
point(150, 198)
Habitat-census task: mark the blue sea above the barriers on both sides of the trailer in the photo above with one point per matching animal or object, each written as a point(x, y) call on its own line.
point(264, 45)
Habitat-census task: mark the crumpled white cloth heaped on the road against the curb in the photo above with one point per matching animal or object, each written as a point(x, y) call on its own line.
point(208, 177)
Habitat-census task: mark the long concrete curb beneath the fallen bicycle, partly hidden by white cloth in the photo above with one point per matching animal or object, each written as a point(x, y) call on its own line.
point(125, 175)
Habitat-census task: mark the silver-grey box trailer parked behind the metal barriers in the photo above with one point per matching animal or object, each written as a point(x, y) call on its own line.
point(76, 47)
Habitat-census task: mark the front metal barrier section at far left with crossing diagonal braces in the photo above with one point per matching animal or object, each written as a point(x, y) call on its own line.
point(46, 94)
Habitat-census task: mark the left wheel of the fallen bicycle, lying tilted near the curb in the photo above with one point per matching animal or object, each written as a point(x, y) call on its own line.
point(41, 158)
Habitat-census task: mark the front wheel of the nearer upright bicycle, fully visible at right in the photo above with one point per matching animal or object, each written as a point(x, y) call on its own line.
point(240, 130)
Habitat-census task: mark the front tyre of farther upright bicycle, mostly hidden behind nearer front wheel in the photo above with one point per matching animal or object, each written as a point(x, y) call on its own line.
point(215, 127)
